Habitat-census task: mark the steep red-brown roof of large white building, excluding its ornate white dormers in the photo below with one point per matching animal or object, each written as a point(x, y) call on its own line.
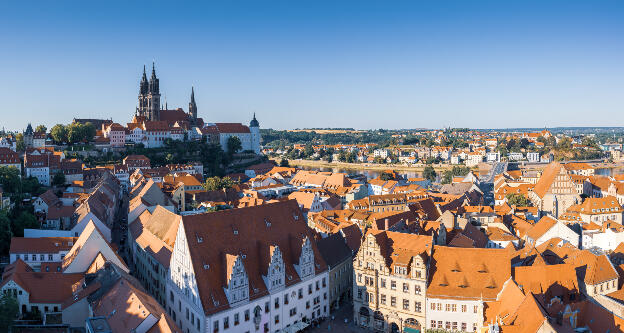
point(248, 232)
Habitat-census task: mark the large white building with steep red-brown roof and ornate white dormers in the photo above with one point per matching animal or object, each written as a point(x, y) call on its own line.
point(231, 271)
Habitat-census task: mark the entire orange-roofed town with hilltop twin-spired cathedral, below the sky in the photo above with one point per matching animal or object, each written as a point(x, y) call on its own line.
point(172, 223)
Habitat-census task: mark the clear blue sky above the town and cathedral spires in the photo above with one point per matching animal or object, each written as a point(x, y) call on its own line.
point(362, 64)
